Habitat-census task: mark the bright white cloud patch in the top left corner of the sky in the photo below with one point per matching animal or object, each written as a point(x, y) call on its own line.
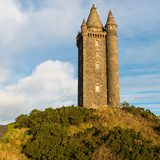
point(11, 19)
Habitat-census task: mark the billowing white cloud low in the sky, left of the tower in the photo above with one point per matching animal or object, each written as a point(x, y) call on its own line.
point(51, 84)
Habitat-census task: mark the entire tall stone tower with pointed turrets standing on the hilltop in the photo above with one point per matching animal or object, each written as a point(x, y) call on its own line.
point(98, 75)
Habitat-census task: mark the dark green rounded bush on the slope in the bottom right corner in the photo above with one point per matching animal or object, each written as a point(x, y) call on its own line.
point(130, 145)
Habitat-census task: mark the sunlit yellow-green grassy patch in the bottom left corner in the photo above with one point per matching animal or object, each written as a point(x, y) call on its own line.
point(12, 142)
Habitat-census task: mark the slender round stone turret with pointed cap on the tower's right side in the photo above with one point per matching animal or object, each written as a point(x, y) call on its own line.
point(112, 62)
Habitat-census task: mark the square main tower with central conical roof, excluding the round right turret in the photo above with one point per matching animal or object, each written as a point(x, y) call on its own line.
point(92, 77)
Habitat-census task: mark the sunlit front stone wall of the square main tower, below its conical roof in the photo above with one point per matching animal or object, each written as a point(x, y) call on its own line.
point(93, 76)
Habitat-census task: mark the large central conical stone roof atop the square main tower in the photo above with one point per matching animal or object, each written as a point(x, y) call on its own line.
point(93, 19)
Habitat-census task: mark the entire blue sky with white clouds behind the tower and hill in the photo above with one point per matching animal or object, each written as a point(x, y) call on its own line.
point(38, 52)
